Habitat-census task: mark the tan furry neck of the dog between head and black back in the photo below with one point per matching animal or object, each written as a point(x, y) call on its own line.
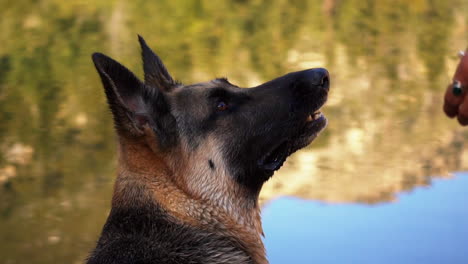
point(184, 190)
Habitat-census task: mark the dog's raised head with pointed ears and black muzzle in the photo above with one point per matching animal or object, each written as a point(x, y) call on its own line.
point(220, 128)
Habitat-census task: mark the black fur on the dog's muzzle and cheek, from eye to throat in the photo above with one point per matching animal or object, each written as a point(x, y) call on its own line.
point(260, 121)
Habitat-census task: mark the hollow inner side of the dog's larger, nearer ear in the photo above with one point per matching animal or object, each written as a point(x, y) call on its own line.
point(129, 99)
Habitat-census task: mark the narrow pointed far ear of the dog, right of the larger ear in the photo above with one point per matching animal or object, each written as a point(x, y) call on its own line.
point(156, 74)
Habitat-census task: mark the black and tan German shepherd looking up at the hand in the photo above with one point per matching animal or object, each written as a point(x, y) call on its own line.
point(193, 158)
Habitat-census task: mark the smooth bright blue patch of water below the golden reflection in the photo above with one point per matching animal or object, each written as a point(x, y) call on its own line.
point(427, 225)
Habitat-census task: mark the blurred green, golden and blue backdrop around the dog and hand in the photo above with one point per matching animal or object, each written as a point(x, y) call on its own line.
point(376, 187)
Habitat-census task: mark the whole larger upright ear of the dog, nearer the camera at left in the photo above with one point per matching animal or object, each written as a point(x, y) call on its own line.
point(134, 105)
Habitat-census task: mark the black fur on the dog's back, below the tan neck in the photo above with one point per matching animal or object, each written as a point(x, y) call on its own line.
point(146, 234)
